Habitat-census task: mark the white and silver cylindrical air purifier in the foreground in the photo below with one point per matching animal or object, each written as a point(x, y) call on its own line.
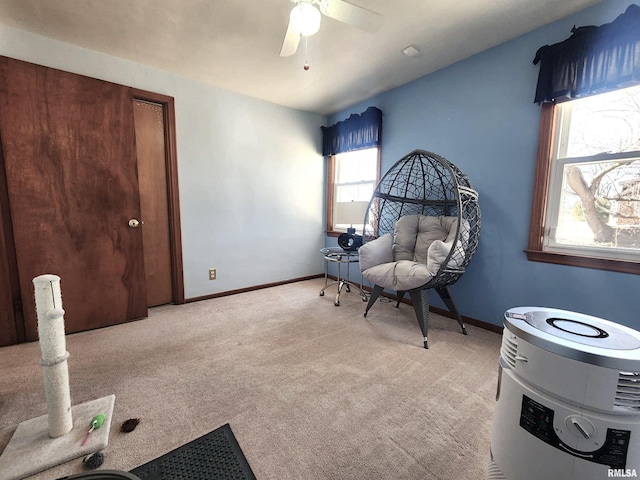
point(568, 399)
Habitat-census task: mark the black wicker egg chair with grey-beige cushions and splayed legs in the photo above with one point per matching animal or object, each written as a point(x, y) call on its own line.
point(421, 231)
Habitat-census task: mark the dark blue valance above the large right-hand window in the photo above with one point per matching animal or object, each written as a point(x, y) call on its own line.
point(593, 60)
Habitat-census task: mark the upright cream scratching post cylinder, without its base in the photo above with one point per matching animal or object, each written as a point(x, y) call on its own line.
point(54, 354)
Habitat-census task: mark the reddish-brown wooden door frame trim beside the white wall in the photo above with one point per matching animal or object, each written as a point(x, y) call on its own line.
point(171, 164)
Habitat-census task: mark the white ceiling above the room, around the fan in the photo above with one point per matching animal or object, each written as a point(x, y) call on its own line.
point(235, 44)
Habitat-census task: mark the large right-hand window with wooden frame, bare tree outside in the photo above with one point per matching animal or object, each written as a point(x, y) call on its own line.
point(587, 196)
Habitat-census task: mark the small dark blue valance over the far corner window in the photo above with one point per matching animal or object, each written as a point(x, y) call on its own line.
point(355, 133)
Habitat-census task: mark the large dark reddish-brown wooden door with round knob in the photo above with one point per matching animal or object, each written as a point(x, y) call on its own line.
point(70, 163)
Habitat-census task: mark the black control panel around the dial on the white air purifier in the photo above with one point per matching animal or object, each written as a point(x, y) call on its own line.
point(540, 421)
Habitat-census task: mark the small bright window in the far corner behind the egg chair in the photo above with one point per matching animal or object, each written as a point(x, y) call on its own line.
point(352, 179)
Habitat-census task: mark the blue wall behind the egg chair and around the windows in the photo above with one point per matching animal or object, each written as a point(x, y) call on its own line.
point(479, 114)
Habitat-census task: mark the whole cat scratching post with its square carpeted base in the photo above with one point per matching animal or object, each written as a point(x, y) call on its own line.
point(54, 438)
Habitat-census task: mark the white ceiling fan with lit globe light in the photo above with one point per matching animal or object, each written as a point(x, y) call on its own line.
point(305, 16)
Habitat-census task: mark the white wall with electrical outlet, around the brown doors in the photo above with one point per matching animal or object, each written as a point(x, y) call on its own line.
point(251, 173)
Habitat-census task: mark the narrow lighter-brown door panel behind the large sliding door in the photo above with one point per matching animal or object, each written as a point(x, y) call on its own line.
point(154, 202)
